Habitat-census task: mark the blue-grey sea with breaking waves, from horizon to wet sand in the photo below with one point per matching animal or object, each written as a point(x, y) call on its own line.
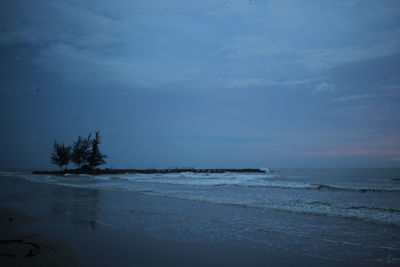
point(349, 215)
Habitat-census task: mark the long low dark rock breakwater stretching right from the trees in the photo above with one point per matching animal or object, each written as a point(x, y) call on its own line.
point(146, 171)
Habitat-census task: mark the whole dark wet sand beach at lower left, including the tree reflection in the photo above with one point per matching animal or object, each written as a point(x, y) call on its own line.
point(96, 244)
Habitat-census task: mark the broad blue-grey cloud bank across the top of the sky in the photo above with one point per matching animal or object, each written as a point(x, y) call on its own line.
point(154, 43)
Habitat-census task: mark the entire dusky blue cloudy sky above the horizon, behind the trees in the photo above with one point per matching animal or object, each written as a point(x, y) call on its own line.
point(202, 83)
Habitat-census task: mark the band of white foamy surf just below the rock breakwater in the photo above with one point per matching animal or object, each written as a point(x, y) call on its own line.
point(282, 200)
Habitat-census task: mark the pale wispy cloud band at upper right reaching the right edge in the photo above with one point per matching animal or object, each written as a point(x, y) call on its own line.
point(314, 60)
